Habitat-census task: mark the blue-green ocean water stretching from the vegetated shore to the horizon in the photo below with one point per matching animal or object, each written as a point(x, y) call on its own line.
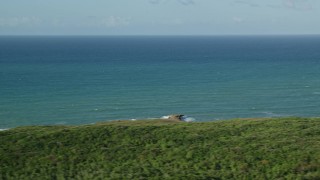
point(83, 80)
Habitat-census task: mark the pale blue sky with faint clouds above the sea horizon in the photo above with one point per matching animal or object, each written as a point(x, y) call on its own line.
point(159, 17)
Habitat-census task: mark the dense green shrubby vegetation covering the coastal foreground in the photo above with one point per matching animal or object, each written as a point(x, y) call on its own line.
point(278, 148)
